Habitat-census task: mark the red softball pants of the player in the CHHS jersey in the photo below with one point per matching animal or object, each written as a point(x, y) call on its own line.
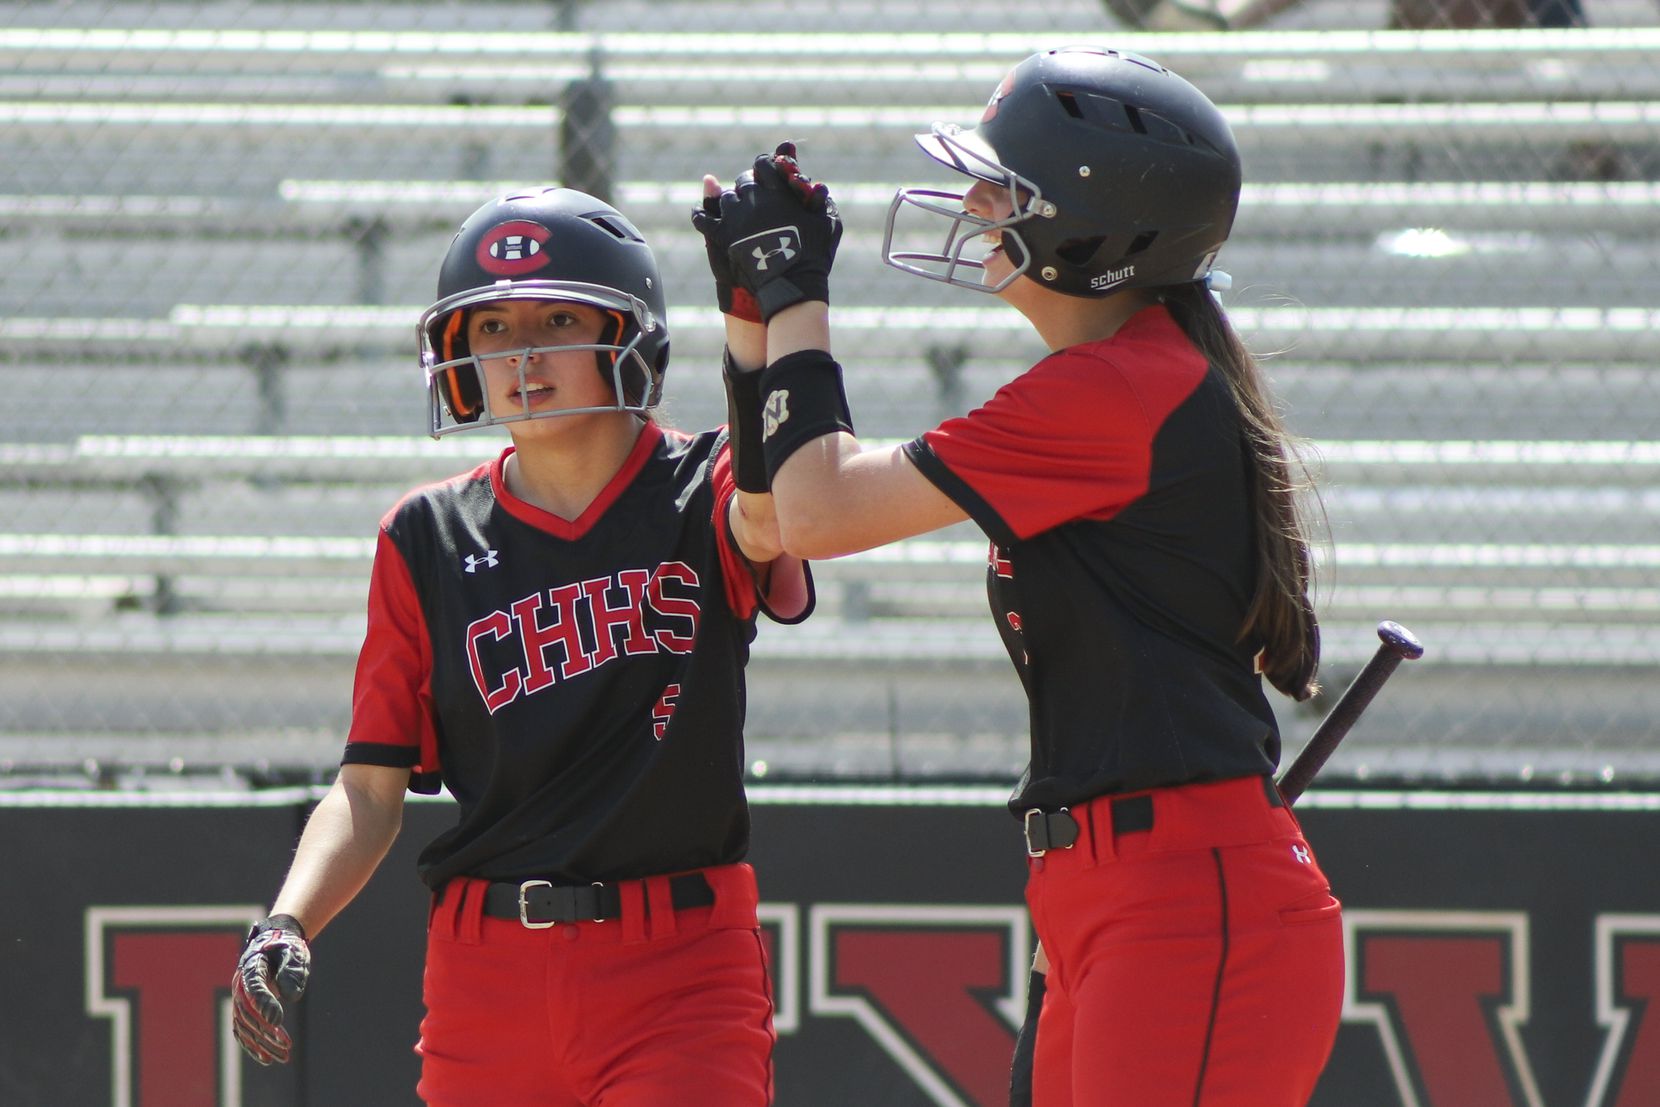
point(660, 1007)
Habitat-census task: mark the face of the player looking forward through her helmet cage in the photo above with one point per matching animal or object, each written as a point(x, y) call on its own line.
point(512, 331)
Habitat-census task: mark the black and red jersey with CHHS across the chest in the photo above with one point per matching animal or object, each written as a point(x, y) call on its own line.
point(579, 686)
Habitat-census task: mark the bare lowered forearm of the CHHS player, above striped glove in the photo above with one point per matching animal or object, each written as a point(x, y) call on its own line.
point(344, 842)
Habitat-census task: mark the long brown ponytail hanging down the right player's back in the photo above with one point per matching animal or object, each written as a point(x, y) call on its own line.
point(1281, 620)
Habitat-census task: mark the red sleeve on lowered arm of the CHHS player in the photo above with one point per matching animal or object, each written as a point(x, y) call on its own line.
point(393, 716)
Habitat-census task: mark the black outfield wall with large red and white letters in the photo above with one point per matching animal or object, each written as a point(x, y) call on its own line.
point(1503, 950)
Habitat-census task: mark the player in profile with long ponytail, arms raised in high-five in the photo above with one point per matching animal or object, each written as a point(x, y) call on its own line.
point(1148, 567)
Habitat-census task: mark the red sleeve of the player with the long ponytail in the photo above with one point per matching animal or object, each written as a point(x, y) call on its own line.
point(1068, 439)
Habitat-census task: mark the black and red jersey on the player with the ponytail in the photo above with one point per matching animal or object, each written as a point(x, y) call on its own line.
point(1113, 482)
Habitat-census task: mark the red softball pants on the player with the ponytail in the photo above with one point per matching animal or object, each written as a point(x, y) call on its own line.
point(1198, 963)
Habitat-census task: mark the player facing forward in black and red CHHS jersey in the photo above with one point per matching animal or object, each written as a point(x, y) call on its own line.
point(559, 638)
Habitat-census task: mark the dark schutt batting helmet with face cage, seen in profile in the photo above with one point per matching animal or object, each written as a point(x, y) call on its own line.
point(1121, 175)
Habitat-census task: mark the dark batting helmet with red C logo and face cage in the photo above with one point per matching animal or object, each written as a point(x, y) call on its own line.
point(559, 246)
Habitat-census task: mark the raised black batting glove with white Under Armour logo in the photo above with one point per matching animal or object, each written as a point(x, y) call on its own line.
point(781, 233)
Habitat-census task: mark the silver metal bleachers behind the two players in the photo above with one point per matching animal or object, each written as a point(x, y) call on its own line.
point(217, 237)
